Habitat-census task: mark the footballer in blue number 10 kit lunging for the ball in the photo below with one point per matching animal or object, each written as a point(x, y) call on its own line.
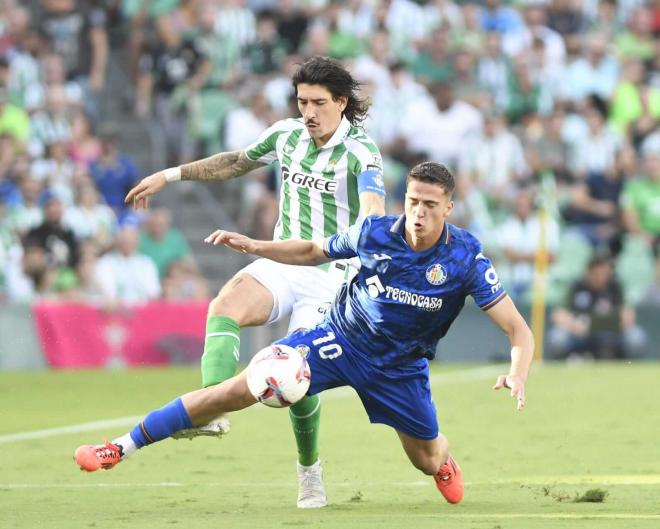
point(381, 331)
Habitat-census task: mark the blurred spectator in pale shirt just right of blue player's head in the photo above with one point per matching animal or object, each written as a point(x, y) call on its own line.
point(494, 161)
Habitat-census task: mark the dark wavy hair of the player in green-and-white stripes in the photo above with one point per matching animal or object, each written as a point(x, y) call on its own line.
point(339, 82)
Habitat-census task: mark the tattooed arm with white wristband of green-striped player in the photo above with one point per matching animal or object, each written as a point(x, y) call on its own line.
point(222, 166)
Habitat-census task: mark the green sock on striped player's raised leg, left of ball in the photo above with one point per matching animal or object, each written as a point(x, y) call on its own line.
point(221, 347)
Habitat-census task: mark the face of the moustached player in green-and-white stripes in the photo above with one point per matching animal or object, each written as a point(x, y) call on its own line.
point(321, 113)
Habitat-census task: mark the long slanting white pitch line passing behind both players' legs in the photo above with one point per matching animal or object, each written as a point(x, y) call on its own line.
point(465, 375)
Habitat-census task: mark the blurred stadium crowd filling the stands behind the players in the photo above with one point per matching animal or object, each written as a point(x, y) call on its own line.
point(548, 112)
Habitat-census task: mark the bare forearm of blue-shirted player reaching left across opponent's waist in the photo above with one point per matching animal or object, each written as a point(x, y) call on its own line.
point(297, 252)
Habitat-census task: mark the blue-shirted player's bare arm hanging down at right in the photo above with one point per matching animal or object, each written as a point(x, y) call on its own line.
point(507, 317)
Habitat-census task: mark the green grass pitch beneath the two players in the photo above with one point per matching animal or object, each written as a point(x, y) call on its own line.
point(585, 427)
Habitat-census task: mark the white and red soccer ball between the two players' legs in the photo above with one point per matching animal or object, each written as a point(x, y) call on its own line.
point(278, 376)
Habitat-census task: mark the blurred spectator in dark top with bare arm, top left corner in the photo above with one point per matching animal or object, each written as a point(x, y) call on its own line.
point(77, 32)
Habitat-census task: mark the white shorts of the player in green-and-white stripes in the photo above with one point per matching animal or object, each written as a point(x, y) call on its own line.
point(304, 292)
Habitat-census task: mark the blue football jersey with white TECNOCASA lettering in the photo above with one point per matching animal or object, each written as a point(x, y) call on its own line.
point(402, 302)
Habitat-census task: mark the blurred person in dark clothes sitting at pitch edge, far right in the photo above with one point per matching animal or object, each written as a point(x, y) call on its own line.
point(595, 322)
